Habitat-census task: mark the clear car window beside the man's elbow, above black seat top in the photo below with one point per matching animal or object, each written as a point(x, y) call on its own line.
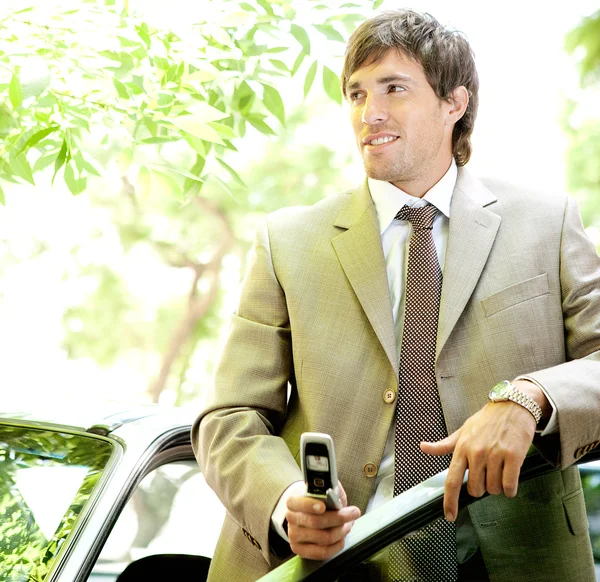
point(172, 511)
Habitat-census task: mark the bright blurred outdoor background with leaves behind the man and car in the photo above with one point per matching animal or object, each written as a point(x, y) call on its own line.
point(142, 141)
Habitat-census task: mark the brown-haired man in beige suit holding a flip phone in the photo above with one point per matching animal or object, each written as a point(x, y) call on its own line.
point(344, 304)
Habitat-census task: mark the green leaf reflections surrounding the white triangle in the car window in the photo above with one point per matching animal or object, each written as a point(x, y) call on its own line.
point(25, 553)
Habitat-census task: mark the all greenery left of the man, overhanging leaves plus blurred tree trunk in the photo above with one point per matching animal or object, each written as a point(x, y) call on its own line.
point(147, 120)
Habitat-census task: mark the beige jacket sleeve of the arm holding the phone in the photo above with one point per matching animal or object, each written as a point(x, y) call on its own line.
point(235, 436)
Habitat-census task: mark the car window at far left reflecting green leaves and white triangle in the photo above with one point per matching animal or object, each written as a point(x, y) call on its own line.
point(46, 481)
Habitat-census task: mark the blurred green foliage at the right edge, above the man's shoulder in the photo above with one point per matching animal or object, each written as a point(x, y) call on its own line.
point(583, 127)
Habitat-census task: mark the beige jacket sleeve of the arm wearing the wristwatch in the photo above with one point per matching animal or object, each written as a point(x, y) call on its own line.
point(574, 386)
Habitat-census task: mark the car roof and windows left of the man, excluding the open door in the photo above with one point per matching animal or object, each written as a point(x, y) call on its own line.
point(87, 492)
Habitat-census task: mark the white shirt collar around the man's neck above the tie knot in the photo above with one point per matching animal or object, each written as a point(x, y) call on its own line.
point(388, 199)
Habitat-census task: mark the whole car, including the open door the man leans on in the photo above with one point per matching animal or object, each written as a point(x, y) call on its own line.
point(112, 493)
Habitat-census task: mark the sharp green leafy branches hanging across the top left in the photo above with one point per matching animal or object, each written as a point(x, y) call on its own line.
point(96, 72)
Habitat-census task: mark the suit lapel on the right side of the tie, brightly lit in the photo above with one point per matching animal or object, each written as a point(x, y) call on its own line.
point(471, 234)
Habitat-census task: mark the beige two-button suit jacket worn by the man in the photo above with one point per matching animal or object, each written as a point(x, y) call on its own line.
point(521, 295)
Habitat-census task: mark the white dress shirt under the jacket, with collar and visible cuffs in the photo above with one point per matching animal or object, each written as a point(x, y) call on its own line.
point(388, 200)
